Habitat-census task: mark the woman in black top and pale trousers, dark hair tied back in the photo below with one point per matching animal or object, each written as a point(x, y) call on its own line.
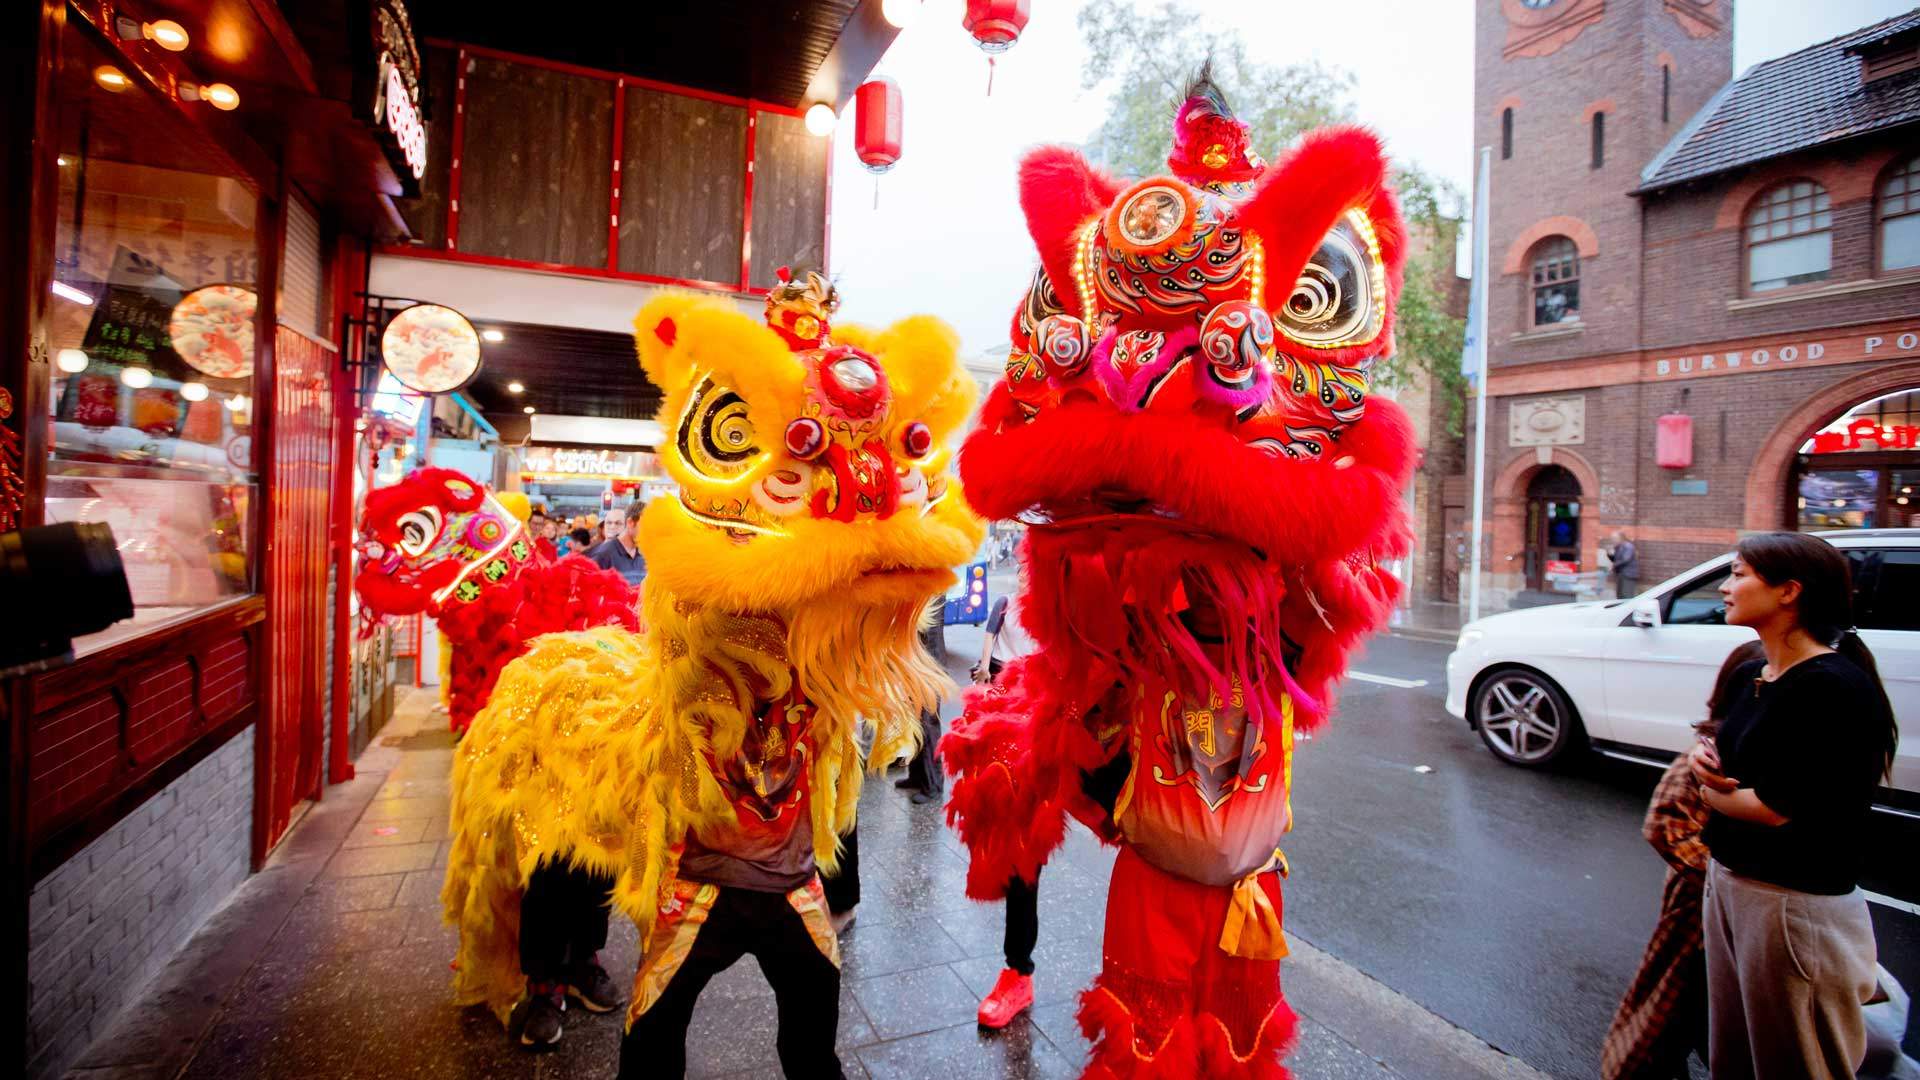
point(1790, 781)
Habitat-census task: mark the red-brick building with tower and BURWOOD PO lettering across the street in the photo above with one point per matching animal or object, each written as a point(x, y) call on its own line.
point(1735, 262)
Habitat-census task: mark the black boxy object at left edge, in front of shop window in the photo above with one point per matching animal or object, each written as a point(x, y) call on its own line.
point(57, 583)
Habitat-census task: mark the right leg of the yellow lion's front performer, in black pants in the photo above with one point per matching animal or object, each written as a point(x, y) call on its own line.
point(802, 964)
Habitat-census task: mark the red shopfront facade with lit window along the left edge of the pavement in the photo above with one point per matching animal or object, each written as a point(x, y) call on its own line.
point(149, 197)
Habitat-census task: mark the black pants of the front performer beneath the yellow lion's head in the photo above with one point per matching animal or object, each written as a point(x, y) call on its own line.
point(804, 979)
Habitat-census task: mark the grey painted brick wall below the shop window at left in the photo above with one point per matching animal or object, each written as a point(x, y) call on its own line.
point(112, 916)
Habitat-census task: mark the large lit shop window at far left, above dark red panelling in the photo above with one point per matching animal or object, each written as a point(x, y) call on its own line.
point(153, 341)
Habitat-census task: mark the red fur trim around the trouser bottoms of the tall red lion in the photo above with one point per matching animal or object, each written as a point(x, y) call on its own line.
point(1195, 1046)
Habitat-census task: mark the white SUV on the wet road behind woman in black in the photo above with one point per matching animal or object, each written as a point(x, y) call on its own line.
point(1631, 677)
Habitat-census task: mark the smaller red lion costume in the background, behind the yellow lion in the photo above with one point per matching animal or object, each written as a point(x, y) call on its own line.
point(437, 543)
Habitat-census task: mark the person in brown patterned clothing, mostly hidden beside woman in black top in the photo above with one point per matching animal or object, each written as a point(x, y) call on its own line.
point(1664, 1016)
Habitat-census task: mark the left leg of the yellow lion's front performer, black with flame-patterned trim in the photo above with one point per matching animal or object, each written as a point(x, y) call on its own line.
point(658, 1039)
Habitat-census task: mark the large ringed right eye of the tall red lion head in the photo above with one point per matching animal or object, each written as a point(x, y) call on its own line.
point(1341, 295)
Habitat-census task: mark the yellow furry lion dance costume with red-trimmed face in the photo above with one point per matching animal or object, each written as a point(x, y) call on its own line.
point(817, 518)
